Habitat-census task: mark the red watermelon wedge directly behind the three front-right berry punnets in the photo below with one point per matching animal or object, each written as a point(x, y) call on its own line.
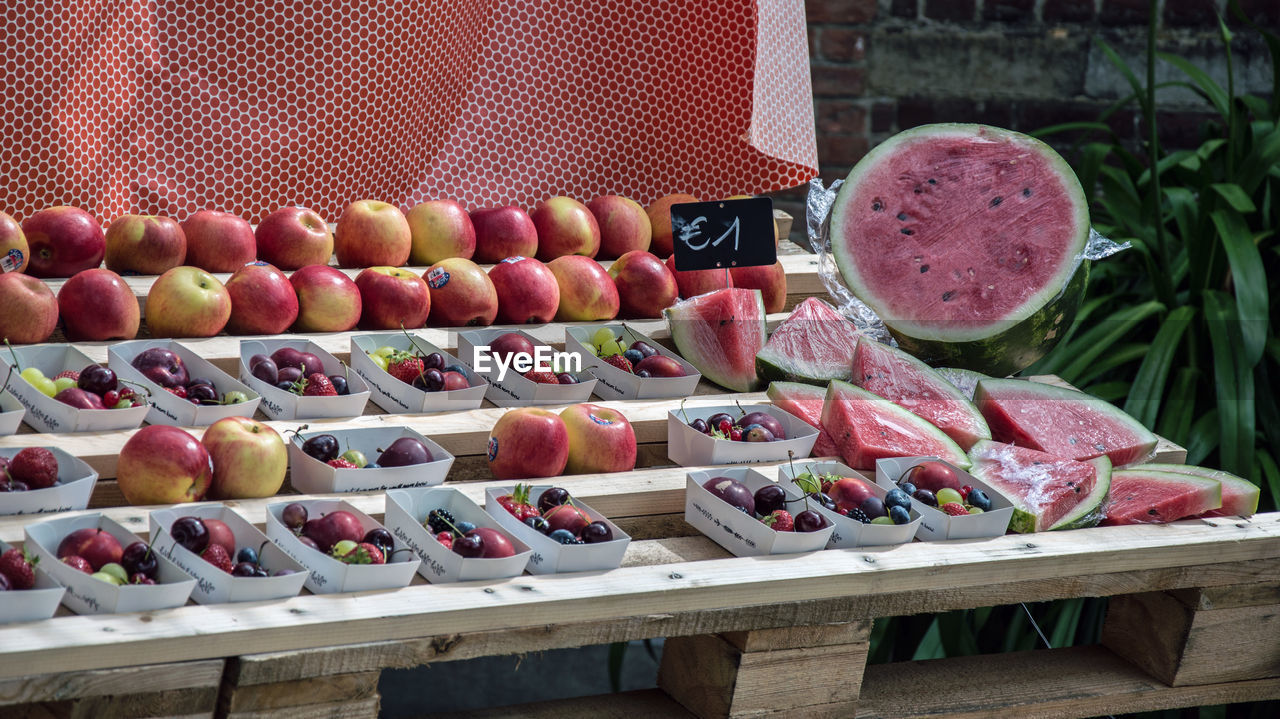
point(867, 428)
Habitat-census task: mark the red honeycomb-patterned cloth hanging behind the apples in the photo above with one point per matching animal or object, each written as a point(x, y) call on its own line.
point(170, 107)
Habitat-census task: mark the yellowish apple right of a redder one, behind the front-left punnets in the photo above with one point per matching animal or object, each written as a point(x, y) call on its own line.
point(250, 459)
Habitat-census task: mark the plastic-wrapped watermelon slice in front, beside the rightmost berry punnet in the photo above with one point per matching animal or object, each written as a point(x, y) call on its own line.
point(1048, 492)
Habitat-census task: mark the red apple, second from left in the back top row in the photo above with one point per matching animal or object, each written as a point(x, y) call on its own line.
point(63, 241)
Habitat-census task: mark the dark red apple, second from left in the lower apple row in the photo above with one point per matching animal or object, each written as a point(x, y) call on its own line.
point(98, 305)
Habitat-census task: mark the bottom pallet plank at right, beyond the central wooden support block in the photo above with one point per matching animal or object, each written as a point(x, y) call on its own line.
point(1087, 681)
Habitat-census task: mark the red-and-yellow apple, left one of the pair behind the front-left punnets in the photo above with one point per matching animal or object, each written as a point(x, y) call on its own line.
point(163, 465)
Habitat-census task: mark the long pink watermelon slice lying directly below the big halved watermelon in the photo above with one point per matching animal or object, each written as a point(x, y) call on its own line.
point(911, 384)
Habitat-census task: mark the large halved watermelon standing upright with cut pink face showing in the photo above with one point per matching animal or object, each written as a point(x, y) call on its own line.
point(964, 240)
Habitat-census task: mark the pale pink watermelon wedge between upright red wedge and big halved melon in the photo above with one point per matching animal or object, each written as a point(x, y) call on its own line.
point(813, 346)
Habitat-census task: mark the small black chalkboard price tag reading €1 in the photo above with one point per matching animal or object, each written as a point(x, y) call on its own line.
point(723, 235)
